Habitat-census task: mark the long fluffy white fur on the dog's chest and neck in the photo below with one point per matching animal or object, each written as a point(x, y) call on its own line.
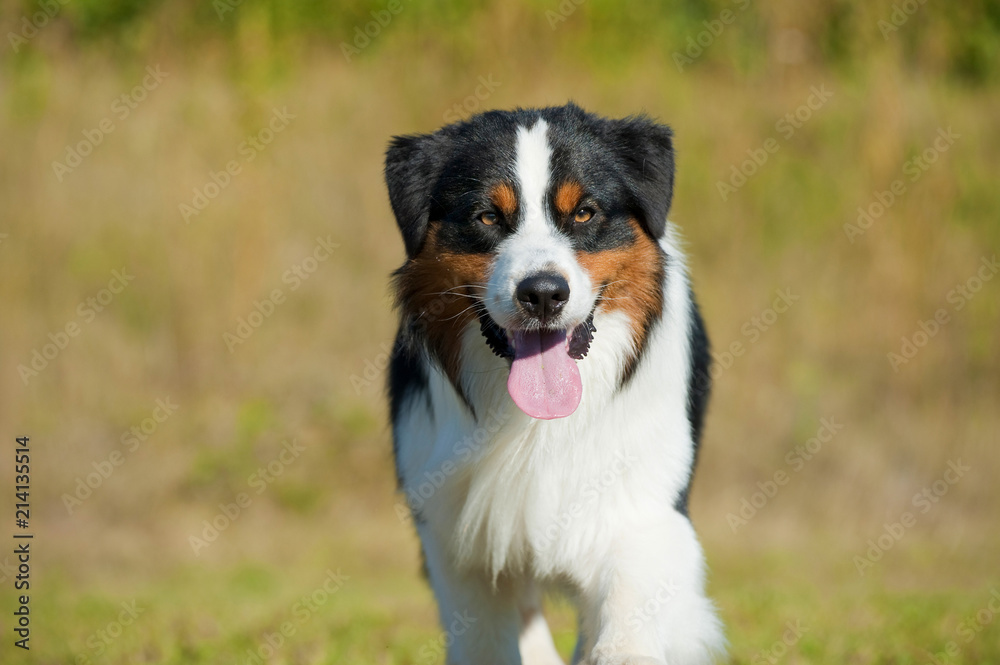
point(508, 492)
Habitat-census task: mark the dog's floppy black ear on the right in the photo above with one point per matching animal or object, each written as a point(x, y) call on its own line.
point(648, 151)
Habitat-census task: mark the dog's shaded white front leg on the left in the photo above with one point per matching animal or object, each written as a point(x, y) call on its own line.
point(481, 622)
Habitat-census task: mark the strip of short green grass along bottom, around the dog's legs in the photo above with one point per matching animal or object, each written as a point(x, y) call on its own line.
point(787, 609)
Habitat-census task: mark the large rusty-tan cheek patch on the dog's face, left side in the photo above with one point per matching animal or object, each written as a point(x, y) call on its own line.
point(437, 290)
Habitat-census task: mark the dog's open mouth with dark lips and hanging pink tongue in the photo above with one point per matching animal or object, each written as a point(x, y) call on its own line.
point(544, 380)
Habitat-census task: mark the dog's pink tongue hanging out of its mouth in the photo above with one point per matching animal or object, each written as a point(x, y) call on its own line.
point(544, 381)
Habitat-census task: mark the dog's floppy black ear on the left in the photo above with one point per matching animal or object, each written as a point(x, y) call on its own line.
point(413, 165)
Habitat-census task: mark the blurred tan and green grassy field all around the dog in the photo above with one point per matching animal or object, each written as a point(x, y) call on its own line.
point(310, 371)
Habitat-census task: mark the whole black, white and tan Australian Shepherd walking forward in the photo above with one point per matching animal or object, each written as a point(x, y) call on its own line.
point(548, 386)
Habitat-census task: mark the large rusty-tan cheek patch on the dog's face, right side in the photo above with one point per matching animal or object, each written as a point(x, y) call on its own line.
point(632, 277)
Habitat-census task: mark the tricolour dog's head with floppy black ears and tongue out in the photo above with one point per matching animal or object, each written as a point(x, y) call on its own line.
point(524, 223)
